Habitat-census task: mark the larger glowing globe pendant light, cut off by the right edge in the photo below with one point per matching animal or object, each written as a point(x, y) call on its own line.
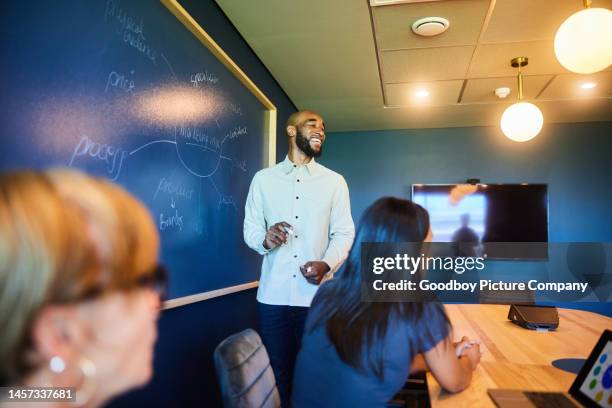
point(583, 43)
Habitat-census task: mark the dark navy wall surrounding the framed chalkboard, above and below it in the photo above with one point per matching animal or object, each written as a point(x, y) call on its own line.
point(184, 374)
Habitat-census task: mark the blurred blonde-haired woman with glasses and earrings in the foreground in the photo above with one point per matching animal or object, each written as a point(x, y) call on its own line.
point(79, 286)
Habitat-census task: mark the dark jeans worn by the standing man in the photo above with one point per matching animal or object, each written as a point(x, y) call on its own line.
point(281, 329)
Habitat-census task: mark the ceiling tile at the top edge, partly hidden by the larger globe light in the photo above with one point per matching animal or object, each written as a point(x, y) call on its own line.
point(529, 20)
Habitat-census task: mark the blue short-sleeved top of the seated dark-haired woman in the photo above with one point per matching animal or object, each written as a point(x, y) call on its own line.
point(322, 379)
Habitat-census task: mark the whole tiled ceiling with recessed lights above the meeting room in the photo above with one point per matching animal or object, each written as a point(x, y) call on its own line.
point(359, 66)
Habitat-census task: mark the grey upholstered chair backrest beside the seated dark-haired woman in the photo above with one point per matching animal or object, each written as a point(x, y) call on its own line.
point(245, 375)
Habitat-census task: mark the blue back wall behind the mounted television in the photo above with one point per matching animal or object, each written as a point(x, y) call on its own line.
point(575, 160)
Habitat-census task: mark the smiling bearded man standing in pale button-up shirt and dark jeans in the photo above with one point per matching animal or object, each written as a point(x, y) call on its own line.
point(297, 216)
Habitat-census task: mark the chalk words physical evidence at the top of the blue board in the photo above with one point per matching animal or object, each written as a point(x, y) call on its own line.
point(130, 29)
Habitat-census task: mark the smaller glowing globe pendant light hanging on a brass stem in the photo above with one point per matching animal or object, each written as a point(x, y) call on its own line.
point(523, 120)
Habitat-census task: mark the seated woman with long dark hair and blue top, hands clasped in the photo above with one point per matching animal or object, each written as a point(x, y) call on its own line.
point(359, 354)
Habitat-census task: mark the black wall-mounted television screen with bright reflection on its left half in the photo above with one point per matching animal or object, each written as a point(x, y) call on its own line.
point(502, 221)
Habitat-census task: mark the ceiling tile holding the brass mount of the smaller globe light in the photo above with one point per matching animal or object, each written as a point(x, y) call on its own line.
point(493, 60)
